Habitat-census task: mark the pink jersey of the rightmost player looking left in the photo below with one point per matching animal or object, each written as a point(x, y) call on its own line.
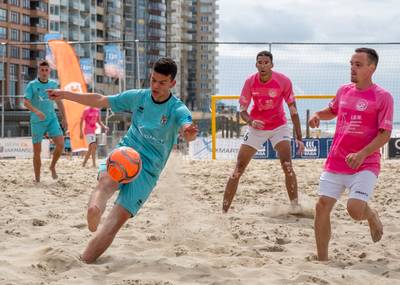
point(360, 115)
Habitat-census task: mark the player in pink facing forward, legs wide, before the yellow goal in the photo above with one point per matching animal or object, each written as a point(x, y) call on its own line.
point(267, 121)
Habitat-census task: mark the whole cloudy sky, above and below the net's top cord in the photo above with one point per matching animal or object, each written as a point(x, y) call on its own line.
point(313, 69)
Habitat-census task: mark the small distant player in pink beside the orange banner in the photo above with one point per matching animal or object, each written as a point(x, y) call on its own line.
point(89, 119)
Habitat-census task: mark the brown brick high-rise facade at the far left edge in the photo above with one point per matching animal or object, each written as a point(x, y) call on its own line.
point(21, 22)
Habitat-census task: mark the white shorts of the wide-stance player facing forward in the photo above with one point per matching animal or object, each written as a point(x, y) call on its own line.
point(256, 138)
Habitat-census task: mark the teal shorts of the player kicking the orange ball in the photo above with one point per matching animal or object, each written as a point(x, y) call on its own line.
point(133, 195)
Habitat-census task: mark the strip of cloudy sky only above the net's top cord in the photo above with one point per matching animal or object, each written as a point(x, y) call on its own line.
point(309, 20)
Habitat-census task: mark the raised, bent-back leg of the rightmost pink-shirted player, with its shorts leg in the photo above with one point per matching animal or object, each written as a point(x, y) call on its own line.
point(361, 189)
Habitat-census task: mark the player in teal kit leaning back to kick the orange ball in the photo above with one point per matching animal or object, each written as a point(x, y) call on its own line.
point(157, 119)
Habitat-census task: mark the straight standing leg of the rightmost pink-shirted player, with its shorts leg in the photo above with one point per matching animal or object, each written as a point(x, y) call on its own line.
point(330, 188)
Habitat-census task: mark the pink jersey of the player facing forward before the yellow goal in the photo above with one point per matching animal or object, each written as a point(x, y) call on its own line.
point(267, 98)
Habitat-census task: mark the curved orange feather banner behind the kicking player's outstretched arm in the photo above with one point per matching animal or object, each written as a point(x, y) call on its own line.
point(71, 79)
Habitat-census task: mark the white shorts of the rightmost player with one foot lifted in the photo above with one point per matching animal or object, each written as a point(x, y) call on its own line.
point(361, 184)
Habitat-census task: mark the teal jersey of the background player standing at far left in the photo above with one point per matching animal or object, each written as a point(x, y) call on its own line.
point(36, 93)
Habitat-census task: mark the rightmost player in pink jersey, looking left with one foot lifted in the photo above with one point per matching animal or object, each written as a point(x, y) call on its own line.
point(364, 113)
